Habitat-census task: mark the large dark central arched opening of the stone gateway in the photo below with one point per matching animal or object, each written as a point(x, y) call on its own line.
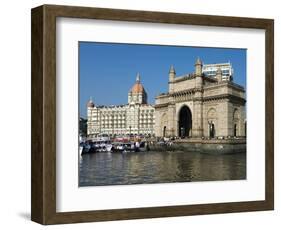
point(185, 122)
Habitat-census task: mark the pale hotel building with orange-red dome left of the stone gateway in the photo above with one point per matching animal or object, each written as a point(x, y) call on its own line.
point(137, 117)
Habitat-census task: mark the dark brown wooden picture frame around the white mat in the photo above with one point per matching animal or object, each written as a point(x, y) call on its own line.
point(43, 189)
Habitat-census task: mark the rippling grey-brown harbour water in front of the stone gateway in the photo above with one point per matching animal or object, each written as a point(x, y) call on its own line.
point(158, 167)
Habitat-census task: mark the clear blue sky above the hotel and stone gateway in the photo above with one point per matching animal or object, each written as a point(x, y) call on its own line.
point(107, 71)
